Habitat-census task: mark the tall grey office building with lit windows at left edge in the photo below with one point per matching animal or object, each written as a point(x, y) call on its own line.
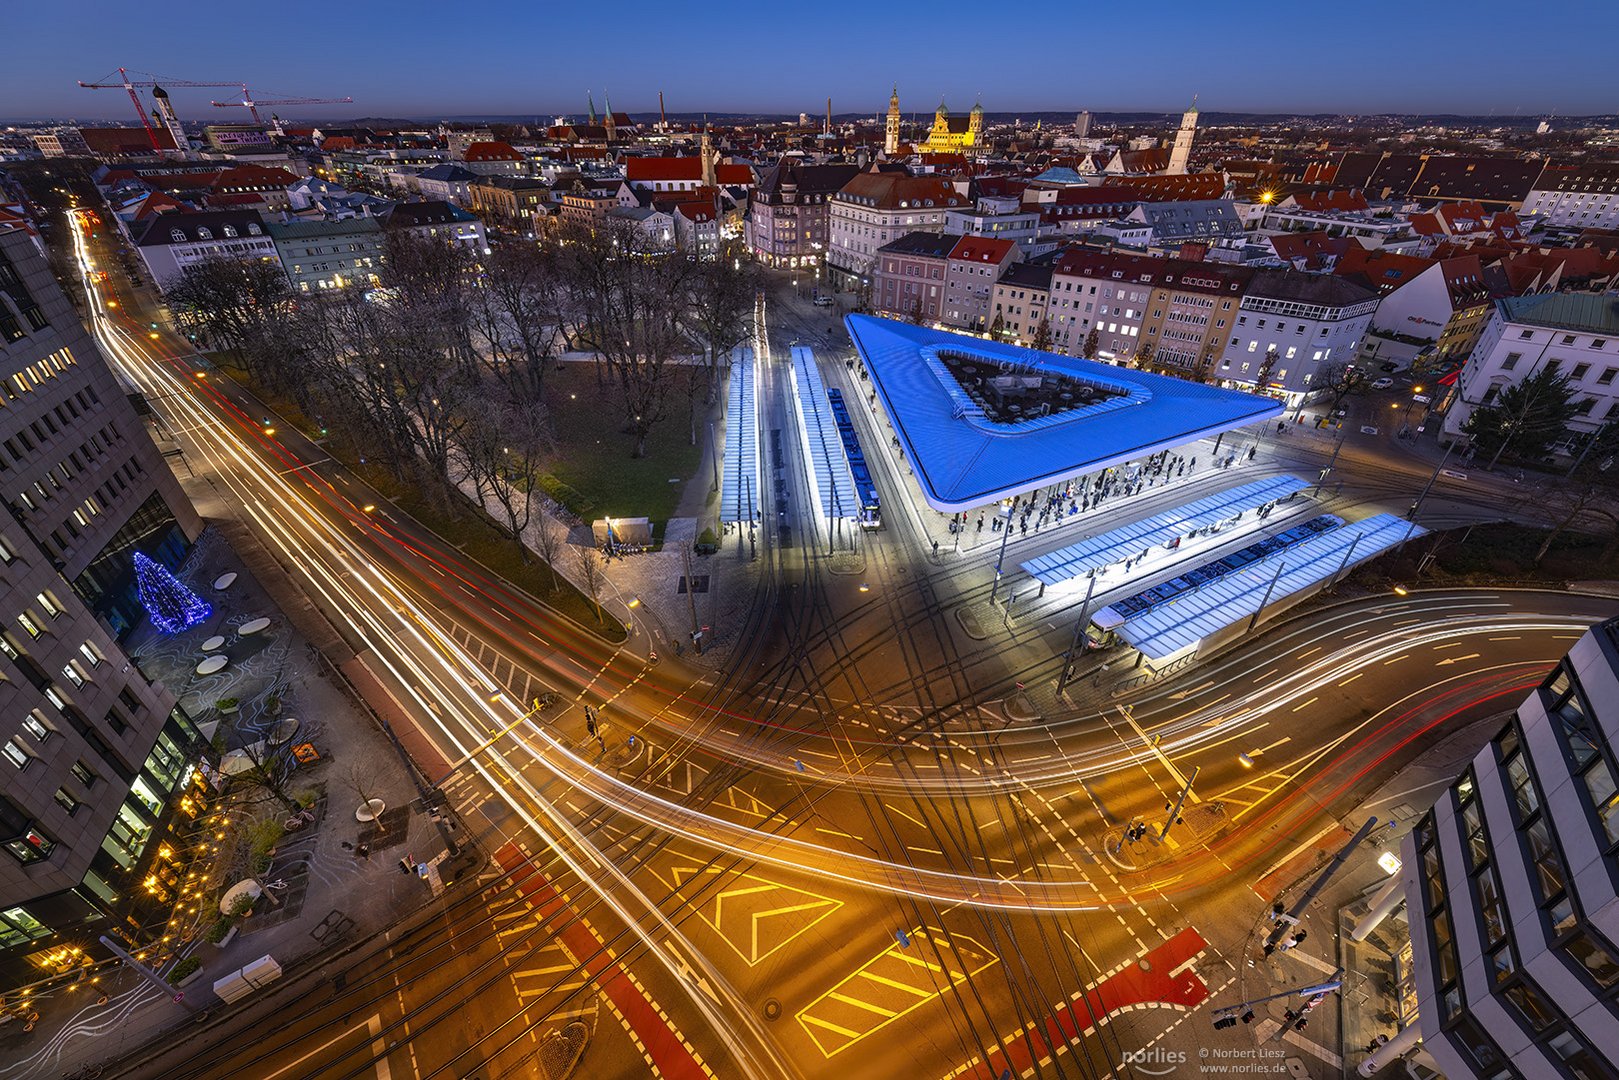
point(98, 760)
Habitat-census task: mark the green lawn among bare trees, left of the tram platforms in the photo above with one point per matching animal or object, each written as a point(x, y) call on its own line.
point(593, 449)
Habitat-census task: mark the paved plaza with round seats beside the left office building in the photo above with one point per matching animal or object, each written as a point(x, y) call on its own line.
point(325, 880)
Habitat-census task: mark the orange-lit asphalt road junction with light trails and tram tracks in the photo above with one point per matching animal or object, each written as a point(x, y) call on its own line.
point(841, 857)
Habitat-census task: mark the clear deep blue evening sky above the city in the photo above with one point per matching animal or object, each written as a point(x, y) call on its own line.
point(414, 59)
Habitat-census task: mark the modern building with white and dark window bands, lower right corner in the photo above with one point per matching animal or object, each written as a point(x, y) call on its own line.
point(1510, 887)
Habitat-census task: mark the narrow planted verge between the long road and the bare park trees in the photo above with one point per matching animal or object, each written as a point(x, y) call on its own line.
point(472, 532)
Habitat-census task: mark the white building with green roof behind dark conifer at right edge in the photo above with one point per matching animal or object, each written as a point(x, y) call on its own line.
point(1576, 334)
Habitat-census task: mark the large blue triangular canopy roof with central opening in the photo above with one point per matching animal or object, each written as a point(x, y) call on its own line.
point(967, 456)
